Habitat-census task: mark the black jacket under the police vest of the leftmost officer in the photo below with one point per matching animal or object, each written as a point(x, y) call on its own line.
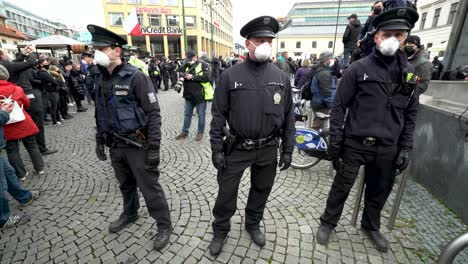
point(143, 90)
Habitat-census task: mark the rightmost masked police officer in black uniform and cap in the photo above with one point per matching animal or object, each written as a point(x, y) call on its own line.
point(378, 92)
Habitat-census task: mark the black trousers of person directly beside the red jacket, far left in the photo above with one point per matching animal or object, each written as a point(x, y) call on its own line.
point(36, 111)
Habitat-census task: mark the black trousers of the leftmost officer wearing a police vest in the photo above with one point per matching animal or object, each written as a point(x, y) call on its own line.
point(128, 164)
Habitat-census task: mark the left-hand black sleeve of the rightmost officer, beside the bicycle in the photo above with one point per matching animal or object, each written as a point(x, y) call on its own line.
point(344, 94)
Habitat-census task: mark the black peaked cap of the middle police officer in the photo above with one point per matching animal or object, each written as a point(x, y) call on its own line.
point(264, 26)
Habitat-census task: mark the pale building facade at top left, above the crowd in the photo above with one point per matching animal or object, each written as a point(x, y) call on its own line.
point(30, 24)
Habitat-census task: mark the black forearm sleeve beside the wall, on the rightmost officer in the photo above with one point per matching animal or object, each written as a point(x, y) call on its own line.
point(410, 114)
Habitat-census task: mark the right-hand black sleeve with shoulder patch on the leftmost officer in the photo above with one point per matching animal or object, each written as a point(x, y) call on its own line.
point(144, 92)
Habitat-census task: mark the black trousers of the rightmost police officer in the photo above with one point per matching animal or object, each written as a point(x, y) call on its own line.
point(379, 162)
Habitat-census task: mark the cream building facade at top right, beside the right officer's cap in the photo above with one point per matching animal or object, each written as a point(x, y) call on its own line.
point(435, 23)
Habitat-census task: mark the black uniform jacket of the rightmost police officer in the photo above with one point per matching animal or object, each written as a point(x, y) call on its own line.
point(375, 109)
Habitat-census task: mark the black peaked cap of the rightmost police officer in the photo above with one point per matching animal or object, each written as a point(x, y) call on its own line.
point(396, 19)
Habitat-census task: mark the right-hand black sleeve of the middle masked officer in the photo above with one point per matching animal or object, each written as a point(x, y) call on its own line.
point(288, 130)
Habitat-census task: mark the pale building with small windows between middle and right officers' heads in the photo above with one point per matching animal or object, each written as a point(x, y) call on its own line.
point(311, 27)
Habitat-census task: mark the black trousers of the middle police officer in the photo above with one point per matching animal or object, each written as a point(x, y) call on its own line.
point(262, 163)
